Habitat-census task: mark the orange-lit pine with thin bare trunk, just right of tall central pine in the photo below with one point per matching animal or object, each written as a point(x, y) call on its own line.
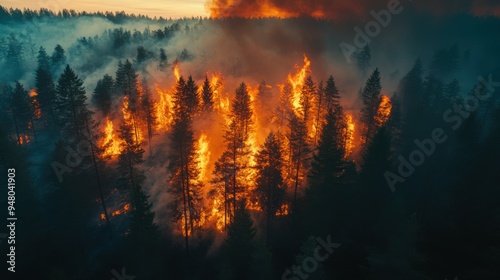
point(270, 189)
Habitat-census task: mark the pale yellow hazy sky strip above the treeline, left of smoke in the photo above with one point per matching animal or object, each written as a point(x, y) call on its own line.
point(165, 8)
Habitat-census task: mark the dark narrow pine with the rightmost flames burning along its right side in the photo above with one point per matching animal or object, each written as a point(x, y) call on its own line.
point(371, 101)
